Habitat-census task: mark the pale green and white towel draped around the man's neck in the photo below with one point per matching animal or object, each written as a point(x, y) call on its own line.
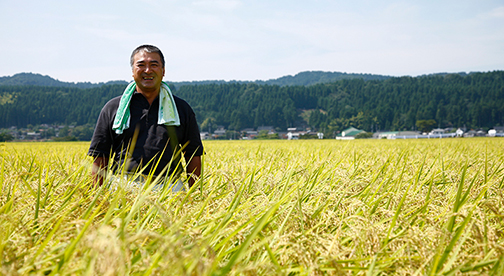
point(167, 113)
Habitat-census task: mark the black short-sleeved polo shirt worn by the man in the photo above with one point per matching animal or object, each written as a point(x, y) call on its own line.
point(152, 143)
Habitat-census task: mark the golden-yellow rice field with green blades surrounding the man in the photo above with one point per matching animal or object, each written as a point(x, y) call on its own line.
point(362, 207)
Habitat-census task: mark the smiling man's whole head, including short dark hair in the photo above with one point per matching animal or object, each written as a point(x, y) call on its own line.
point(147, 65)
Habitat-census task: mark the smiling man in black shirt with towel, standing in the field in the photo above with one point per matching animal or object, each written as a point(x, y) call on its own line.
point(145, 128)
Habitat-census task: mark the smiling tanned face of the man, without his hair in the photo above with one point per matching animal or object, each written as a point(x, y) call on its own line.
point(148, 71)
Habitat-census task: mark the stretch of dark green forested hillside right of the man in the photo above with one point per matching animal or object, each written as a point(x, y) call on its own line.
point(475, 101)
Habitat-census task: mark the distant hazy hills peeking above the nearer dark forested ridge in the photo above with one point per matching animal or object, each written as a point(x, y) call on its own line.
point(303, 78)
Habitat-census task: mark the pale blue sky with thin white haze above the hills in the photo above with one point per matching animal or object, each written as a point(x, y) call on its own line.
point(250, 40)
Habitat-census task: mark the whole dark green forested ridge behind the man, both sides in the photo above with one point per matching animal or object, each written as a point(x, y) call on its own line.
point(474, 100)
